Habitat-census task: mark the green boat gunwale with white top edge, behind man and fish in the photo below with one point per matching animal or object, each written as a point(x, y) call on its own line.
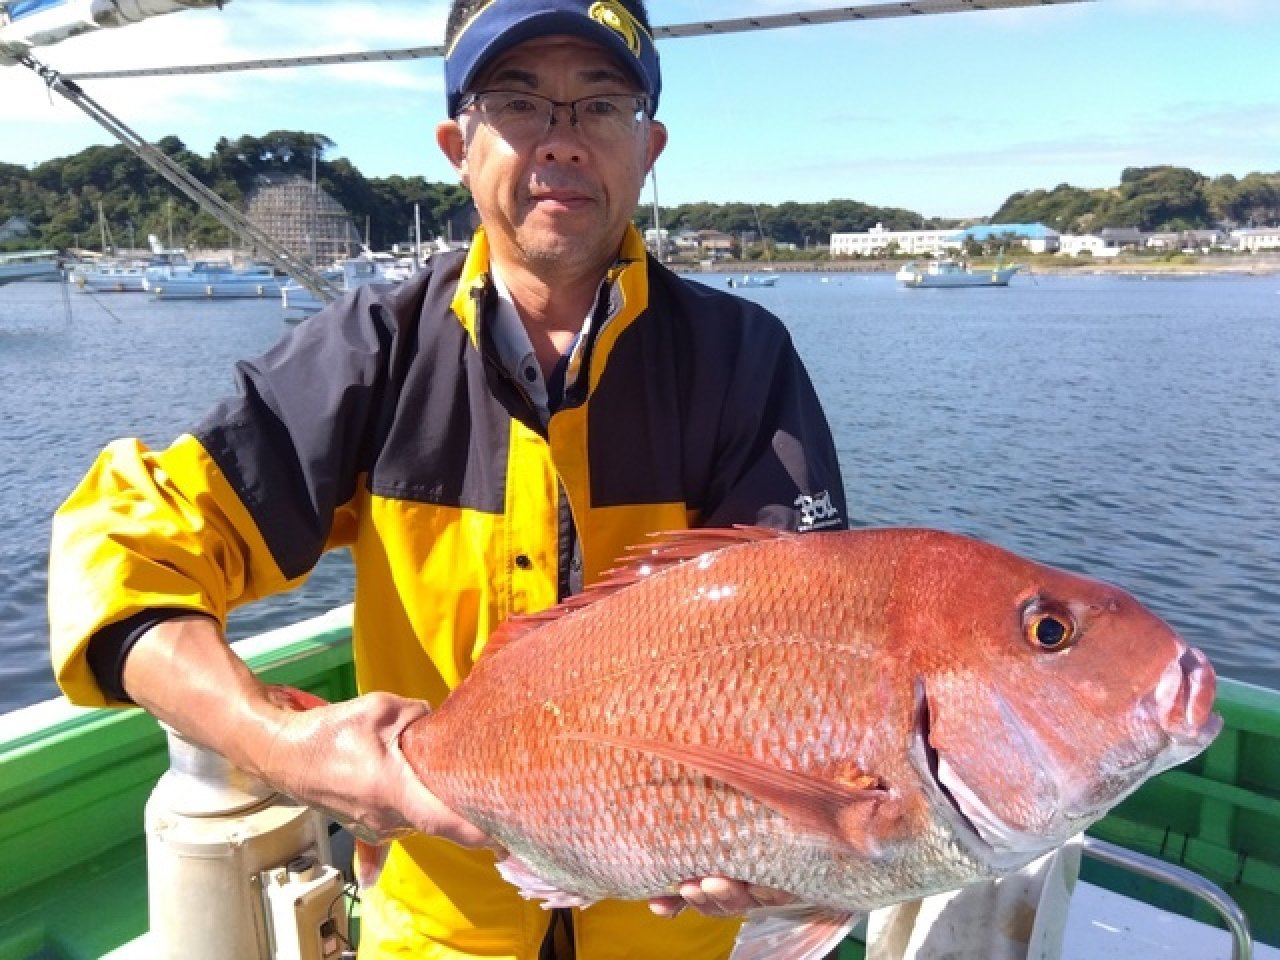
point(74, 783)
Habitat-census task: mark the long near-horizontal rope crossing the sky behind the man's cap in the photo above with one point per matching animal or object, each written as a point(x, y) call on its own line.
point(810, 19)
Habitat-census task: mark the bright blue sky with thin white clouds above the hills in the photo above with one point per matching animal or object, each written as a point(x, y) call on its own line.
point(945, 116)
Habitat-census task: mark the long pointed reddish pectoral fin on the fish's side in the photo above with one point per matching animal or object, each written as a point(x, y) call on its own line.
point(839, 811)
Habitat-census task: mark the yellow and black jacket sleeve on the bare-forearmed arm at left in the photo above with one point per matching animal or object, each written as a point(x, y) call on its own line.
point(240, 509)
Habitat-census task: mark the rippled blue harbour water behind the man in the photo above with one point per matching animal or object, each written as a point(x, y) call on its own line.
point(1124, 428)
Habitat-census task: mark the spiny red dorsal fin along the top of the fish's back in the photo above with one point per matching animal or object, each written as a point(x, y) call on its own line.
point(665, 550)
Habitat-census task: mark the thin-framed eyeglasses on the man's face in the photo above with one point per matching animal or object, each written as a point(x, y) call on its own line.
point(520, 118)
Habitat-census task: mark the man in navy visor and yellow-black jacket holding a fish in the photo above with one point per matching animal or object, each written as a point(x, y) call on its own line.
point(487, 438)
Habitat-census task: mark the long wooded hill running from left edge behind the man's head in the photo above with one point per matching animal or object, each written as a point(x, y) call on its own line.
point(62, 198)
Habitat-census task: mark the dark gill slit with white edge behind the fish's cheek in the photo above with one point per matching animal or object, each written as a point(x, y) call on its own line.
point(975, 826)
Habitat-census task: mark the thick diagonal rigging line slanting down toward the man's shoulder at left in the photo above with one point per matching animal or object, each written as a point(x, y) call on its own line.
point(173, 172)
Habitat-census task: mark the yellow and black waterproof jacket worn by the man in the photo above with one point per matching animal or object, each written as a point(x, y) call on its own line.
point(385, 424)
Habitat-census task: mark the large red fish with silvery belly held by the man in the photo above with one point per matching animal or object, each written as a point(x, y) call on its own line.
point(858, 719)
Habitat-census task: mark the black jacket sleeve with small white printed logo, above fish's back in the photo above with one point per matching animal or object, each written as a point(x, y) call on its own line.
point(776, 463)
